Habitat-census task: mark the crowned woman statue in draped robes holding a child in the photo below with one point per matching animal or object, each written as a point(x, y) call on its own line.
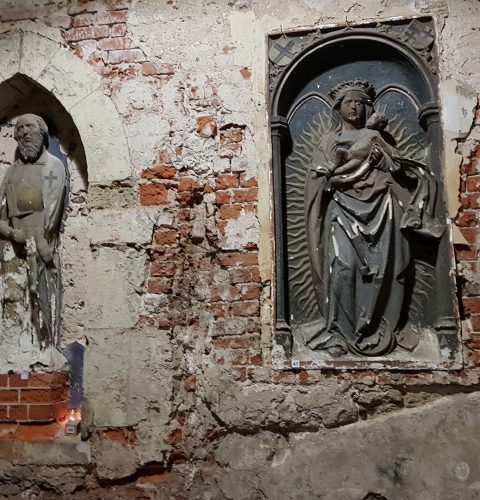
point(357, 218)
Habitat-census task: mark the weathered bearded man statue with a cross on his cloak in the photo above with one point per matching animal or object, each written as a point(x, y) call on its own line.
point(32, 196)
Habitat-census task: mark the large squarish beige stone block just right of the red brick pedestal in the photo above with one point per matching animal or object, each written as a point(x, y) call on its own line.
point(128, 376)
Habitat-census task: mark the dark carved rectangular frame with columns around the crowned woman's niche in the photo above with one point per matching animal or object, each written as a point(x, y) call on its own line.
point(287, 54)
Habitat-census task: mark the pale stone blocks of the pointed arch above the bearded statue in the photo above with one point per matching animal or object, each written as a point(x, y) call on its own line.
point(79, 90)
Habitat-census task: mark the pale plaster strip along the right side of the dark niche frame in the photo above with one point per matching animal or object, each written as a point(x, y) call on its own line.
point(458, 104)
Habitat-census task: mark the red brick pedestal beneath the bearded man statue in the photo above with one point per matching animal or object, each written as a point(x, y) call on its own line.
point(39, 397)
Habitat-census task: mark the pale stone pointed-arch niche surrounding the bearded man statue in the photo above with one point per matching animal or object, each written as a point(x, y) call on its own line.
point(38, 75)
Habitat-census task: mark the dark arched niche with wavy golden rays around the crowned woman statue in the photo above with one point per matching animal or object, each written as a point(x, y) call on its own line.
point(399, 60)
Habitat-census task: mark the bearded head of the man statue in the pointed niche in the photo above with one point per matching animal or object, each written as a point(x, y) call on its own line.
point(31, 134)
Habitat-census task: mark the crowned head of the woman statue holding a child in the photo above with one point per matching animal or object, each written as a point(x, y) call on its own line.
point(352, 103)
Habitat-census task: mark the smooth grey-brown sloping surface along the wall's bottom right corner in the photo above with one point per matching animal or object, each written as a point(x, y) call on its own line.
point(428, 453)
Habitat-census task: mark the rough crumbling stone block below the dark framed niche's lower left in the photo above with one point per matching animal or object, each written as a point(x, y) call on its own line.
point(253, 406)
